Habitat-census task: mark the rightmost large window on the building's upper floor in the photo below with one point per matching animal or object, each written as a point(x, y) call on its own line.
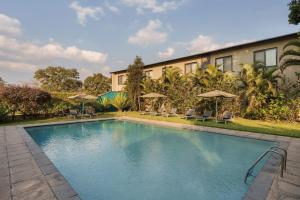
point(268, 57)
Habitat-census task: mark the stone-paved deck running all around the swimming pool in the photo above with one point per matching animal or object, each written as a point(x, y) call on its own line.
point(26, 172)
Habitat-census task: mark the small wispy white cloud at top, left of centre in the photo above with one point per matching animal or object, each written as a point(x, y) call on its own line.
point(84, 12)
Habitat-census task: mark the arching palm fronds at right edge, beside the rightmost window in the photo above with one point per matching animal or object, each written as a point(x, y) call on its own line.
point(291, 54)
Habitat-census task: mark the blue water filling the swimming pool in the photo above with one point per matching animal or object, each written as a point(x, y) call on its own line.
point(112, 160)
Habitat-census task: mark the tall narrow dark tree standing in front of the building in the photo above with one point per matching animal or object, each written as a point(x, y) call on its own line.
point(134, 81)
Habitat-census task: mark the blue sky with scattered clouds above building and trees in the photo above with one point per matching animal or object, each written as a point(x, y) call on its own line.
point(96, 36)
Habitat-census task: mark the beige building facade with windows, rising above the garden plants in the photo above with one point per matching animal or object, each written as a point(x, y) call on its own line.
point(230, 59)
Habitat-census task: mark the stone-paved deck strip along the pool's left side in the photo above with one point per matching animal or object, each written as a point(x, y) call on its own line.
point(26, 173)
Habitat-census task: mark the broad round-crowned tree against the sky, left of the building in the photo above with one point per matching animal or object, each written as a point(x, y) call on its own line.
point(58, 79)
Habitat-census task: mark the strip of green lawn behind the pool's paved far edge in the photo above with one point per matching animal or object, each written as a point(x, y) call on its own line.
point(274, 128)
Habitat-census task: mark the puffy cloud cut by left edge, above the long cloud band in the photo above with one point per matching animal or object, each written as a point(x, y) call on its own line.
point(9, 25)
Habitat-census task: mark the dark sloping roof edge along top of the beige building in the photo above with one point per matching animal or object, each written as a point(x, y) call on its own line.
point(195, 56)
